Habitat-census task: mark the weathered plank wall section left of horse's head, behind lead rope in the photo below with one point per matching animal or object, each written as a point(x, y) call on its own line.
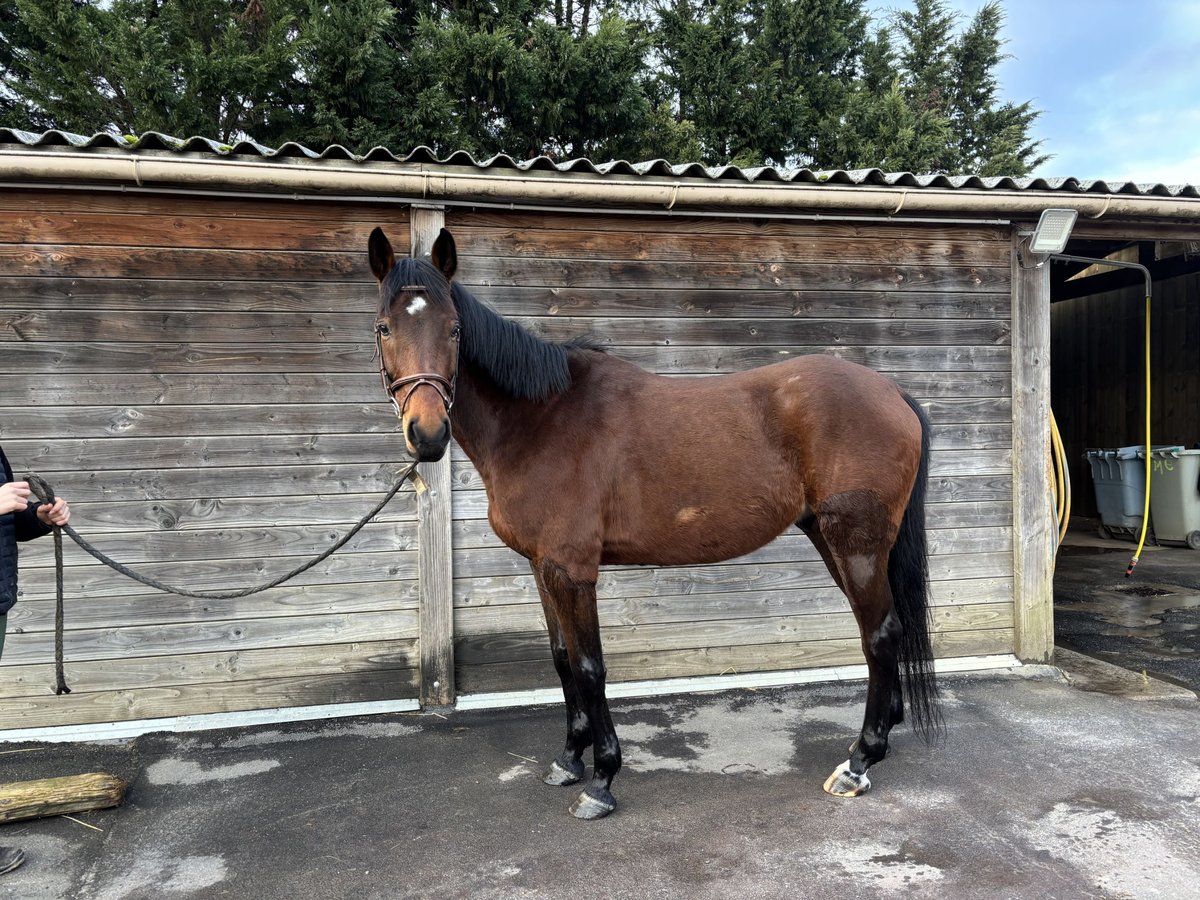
point(196, 377)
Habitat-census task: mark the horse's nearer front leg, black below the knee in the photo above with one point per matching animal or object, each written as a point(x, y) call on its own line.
point(574, 603)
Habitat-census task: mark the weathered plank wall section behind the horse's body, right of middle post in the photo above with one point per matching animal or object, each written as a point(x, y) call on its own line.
point(928, 307)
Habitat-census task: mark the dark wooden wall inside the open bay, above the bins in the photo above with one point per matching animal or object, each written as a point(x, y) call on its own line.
point(1099, 364)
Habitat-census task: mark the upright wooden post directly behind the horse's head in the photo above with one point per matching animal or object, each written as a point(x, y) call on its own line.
point(435, 550)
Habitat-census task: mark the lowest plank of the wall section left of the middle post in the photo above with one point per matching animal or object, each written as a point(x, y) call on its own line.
point(215, 698)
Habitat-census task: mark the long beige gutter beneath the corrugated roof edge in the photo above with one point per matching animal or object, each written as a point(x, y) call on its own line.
point(433, 184)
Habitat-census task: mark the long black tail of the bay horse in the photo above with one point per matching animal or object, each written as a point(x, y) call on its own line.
point(909, 578)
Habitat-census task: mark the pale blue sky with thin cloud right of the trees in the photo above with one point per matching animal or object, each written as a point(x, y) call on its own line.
point(1118, 83)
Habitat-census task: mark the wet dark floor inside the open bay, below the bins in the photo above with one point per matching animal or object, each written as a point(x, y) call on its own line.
point(1149, 622)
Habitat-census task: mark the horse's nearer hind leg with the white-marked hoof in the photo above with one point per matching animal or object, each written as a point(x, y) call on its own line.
point(855, 535)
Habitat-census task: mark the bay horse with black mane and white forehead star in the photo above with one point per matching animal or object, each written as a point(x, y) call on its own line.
point(590, 460)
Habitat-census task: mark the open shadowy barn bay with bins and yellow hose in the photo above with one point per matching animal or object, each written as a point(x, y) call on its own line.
point(1150, 622)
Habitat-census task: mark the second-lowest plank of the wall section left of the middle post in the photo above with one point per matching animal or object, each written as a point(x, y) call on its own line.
point(139, 673)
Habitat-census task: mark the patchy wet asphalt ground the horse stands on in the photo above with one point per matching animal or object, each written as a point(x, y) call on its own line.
point(1081, 782)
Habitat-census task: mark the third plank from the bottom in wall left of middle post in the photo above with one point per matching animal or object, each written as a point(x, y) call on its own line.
point(176, 639)
